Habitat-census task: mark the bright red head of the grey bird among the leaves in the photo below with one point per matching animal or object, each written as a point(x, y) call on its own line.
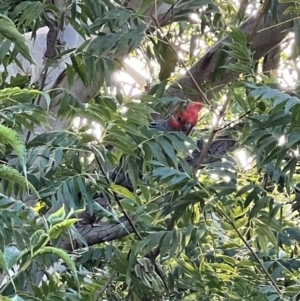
point(185, 119)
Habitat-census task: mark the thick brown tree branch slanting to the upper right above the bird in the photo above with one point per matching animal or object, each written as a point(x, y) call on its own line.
point(264, 41)
